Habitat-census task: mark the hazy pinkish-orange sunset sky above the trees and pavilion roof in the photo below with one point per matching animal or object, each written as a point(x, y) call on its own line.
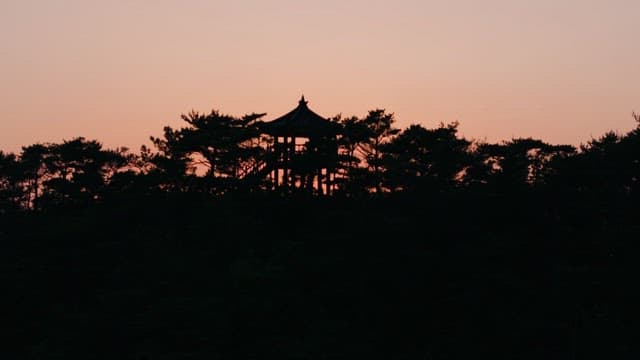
point(118, 71)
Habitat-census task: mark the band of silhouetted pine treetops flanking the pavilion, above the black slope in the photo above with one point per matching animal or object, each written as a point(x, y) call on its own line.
point(221, 154)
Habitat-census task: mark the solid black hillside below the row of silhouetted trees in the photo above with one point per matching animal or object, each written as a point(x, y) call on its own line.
point(464, 276)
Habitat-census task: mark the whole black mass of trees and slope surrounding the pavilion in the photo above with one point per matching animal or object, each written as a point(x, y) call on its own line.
point(431, 247)
